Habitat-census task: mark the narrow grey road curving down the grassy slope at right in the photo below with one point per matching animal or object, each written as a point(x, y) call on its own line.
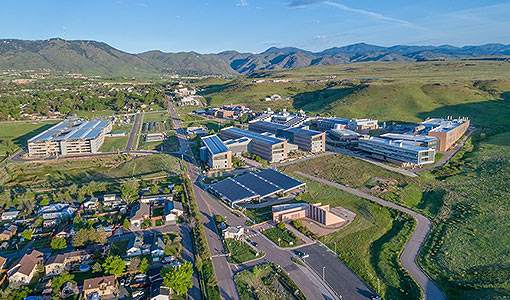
point(413, 246)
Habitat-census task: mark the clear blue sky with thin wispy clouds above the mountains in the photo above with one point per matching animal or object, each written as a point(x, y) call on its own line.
point(253, 26)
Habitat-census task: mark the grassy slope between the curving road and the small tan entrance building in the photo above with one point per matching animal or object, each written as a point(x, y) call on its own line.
point(371, 245)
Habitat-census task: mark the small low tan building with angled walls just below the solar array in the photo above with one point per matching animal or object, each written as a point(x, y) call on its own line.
point(316, 212)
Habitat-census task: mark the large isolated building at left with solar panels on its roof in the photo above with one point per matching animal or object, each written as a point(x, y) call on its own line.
point(70, 138)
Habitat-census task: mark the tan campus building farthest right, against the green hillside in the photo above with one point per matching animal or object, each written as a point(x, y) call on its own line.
point(448, 131)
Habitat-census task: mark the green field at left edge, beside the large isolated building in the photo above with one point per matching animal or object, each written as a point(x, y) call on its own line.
point(16, 134)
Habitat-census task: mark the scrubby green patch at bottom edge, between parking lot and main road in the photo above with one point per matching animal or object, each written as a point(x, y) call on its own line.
point(266, 282)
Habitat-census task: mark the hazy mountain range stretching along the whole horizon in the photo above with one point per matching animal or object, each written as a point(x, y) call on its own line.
point(98, 58)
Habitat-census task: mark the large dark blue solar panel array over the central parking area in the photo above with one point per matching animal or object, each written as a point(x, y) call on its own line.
point(254, 185)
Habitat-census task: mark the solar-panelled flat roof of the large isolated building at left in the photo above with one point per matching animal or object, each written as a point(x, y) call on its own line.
point(71, 130)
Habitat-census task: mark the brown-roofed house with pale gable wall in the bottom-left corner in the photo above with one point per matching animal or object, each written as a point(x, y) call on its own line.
point(23, 270)
